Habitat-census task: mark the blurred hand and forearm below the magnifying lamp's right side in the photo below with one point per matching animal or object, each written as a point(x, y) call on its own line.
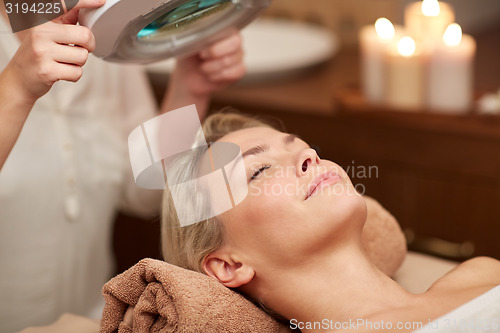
point(196, 77)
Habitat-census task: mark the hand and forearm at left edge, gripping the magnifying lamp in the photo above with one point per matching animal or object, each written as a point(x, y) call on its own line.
point(56, 50)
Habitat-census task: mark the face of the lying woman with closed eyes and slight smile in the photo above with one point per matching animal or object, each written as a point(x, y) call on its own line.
point(297, 204)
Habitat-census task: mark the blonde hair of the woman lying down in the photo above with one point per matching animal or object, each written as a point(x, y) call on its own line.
point(187, 246)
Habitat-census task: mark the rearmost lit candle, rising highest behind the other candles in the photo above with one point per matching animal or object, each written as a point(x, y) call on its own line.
point(426, 21)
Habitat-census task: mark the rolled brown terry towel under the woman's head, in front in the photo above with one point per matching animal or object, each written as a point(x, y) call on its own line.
point(168, 298)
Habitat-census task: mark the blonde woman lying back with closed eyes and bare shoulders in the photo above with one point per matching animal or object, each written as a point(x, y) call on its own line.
point(299, 252)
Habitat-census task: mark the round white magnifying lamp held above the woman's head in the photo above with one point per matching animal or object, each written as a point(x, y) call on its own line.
point(144, 31)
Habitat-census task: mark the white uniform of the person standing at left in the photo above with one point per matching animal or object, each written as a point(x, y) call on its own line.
point(60, 187)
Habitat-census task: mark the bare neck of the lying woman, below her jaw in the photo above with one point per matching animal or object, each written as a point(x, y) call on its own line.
point(341, 286)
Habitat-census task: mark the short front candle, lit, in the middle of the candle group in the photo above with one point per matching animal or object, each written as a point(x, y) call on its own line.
point(405, 76)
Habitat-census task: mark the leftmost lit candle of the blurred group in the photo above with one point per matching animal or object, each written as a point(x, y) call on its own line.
point(375, 40)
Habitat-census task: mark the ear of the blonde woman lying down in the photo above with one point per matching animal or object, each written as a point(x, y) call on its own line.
point(228, 271)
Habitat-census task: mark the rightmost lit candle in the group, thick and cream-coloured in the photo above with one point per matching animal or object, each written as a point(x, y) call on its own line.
point(450, 87)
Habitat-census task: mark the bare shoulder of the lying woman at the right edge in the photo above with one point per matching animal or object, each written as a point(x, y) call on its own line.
point(473, 272)
